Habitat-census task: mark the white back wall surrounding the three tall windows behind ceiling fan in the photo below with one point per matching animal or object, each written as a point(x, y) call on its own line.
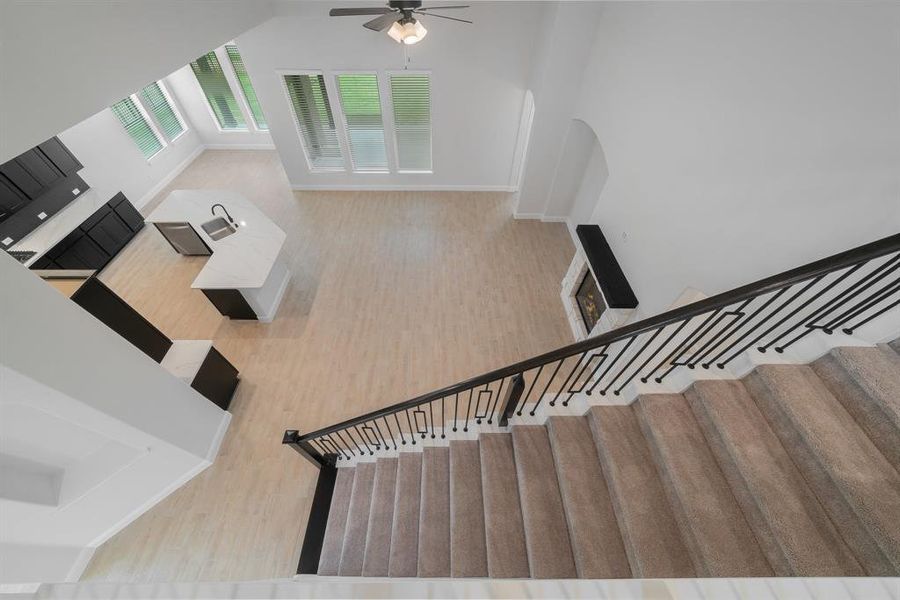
point(479, 76)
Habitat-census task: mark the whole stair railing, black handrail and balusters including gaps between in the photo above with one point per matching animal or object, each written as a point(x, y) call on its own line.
point(842, 292)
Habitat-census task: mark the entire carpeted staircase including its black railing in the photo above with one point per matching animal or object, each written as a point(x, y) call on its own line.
point(618, 457)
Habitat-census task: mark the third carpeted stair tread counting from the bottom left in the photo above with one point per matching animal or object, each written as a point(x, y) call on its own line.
point(381, 517)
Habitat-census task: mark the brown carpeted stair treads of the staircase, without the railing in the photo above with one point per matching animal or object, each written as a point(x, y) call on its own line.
point(791, 471)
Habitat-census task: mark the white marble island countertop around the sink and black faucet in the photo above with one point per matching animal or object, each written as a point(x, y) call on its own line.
point(240, 260)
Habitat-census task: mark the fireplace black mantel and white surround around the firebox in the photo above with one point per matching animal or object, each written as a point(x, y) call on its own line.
point(593, 255)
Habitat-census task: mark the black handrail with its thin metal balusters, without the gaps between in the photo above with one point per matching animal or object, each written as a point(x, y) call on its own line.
point(808, 305)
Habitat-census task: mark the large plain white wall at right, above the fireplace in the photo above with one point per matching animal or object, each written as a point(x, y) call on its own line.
point(742, 139)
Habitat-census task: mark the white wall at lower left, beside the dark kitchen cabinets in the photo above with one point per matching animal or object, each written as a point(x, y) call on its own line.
point(59, 365)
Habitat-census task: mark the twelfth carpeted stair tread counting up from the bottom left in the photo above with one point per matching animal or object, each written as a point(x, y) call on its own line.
point(790, 524)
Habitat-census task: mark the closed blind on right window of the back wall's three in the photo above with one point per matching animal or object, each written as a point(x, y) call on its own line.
point(411, 97)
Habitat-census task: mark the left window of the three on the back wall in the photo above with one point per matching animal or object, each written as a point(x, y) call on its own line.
point(315, 121)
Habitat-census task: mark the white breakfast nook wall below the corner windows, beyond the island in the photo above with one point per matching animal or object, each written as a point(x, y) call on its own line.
point(113, 161)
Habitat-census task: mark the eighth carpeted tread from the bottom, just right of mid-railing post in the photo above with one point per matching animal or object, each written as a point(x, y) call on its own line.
point(546, 531)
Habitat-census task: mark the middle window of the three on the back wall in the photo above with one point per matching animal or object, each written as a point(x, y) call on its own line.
point(362, 116)
